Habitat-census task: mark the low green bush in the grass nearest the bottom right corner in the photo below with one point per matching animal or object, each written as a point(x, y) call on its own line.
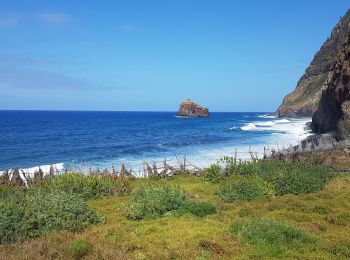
point(269, 237)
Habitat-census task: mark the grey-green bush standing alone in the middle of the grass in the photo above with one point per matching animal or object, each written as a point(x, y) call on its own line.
point(156, 201)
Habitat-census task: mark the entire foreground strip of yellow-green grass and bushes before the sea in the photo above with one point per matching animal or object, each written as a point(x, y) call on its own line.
point(235, 210)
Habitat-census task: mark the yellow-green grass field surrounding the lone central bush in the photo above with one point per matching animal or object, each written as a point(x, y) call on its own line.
point(309, 226)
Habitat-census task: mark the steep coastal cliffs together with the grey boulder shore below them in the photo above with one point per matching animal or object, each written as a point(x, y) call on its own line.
point(329, 105)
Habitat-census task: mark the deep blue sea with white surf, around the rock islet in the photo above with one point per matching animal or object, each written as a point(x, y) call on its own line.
point(29, 138)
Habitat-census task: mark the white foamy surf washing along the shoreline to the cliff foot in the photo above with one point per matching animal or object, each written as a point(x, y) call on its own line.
point(280, 133)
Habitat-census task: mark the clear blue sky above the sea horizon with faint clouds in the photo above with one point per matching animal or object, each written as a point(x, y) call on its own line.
point(150, 55)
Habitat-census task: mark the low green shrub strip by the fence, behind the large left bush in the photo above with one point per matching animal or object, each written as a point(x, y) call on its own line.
point(88, 187)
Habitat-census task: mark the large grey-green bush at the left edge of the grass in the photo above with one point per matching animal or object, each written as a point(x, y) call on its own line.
point(35, 212)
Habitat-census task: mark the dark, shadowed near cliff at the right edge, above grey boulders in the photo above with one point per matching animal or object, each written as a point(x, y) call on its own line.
point(333, 112)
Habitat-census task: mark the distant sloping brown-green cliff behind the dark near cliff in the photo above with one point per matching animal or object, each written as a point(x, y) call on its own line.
point(303, 101)
